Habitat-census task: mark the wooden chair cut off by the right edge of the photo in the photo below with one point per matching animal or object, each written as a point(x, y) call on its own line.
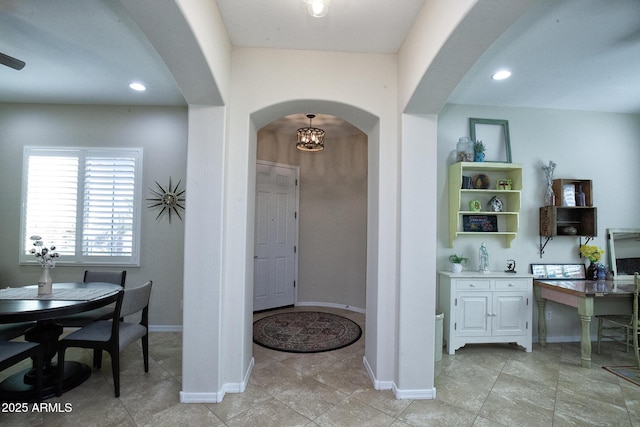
point(622, 328)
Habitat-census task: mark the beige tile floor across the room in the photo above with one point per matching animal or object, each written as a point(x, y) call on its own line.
point(481, 385)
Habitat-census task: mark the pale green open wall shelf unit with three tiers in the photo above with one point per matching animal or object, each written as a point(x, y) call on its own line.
point(459, 198)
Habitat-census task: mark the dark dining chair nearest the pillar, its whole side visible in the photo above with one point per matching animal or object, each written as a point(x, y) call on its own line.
point(113, 335)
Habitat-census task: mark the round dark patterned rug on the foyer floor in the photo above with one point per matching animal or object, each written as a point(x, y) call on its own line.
point(305, 332)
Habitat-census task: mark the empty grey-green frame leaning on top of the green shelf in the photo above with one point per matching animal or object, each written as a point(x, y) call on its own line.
point(494, 134)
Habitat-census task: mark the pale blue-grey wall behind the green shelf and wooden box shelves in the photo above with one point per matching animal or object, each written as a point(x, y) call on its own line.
point(602, 147)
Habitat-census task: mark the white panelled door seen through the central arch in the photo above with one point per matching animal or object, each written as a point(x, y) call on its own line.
point(275, 259)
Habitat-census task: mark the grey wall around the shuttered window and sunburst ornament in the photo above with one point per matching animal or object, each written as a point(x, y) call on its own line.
point(161, 132)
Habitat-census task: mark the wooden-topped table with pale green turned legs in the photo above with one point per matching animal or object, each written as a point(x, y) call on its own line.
point(589, 297)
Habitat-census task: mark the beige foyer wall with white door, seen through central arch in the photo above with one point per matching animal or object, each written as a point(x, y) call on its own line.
point(330, 217)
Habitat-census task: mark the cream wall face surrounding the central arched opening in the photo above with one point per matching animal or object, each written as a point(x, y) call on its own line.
point(264, 81)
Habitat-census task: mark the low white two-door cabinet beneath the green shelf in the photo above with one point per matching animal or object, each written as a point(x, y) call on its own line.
point(486, 308)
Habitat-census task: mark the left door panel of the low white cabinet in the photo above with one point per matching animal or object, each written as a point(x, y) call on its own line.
point(472, 314)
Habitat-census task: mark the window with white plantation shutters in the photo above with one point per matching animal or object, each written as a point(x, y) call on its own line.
point(86, 202)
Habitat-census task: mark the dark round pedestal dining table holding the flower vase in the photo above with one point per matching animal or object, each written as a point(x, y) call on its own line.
point(22, 304)
